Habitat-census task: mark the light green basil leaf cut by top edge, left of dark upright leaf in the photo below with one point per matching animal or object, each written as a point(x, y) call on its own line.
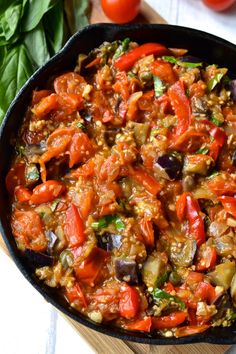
point(34, 12)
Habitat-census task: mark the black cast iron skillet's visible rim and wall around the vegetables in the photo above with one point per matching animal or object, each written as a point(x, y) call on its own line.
point(200, 44)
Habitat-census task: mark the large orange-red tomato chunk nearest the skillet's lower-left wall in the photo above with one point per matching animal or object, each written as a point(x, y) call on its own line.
point(28, 230)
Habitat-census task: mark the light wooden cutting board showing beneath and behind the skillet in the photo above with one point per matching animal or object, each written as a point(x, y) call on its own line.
point(101, 343)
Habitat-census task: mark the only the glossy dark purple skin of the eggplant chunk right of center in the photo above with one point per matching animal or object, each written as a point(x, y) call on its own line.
point(171, 164)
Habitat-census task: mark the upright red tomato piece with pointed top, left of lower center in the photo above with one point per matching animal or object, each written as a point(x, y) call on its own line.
point(74, 227)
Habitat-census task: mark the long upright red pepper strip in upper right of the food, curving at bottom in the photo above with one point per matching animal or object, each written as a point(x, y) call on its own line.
point(181, 106)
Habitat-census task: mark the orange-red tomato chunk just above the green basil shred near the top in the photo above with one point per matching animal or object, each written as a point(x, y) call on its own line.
point(164, 71)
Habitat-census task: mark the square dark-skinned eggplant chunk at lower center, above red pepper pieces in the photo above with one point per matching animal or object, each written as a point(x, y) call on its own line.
point(126, 270)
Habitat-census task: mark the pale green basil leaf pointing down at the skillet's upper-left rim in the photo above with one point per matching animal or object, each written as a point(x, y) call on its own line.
point(36, 44)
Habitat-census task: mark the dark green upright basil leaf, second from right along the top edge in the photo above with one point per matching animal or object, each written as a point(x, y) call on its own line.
point(53, 22)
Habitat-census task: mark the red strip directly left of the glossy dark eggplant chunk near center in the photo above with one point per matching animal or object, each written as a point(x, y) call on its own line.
point(148, 182)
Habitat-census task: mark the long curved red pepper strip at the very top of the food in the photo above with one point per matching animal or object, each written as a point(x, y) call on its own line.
point(126, 61)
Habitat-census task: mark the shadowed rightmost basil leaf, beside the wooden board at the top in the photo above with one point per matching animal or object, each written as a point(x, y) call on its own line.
point(76, 13)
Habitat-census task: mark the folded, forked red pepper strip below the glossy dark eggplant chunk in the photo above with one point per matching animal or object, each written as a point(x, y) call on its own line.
point(191, 209)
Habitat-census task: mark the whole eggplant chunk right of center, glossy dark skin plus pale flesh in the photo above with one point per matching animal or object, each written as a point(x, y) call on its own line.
point(168, 167)
